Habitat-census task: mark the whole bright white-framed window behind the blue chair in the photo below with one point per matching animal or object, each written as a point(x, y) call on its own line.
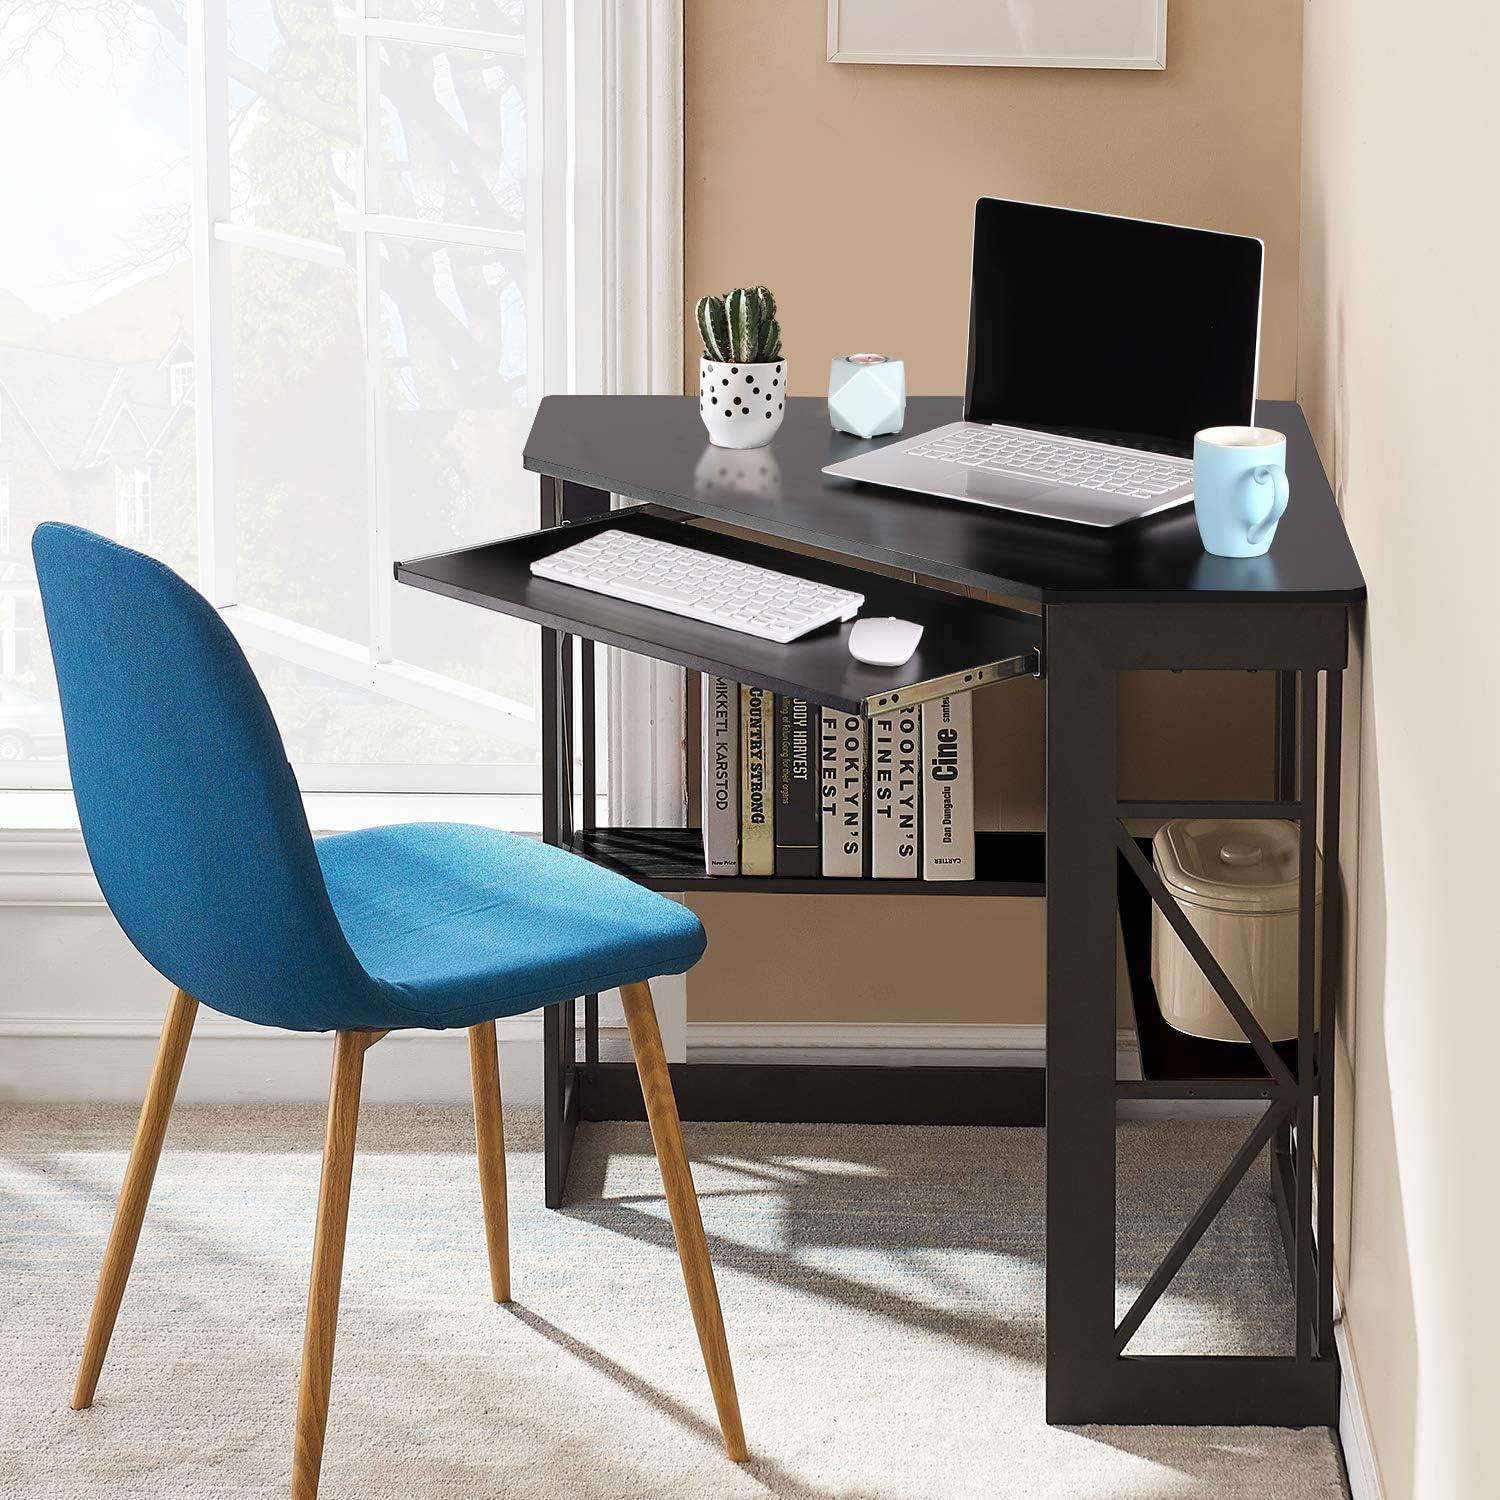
point(382, 287)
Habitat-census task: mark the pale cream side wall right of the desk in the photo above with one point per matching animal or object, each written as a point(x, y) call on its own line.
point(1400, 373)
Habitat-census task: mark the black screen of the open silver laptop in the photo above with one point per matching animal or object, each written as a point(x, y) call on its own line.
point(1118, 331)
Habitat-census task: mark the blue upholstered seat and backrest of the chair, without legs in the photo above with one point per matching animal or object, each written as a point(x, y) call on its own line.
point(197, 833)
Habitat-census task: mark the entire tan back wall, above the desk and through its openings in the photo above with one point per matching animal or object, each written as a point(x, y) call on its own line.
point(851, 193)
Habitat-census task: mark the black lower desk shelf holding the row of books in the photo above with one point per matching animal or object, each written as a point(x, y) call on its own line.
point(673, 860)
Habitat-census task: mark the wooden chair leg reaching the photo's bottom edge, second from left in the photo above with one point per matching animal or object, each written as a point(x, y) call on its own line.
point(328, 1259)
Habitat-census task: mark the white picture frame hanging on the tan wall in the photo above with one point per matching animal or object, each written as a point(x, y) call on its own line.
point(989, 34)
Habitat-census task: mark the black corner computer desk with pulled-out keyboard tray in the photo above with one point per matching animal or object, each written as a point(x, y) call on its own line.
point(1088, 607)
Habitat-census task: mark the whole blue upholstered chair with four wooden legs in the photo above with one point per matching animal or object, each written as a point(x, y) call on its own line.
point(197, 833)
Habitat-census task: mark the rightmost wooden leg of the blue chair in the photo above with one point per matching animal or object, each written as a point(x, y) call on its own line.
point(682, 1198)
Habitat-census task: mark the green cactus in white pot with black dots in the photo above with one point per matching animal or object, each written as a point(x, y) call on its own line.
point(742, 377)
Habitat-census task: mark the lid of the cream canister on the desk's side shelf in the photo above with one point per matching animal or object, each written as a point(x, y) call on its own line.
point(1237, 865)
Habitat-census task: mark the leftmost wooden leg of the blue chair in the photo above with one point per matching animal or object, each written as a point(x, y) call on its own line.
point(136, 1192)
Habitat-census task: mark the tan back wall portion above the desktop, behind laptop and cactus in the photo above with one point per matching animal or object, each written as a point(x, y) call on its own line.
point(850, 190)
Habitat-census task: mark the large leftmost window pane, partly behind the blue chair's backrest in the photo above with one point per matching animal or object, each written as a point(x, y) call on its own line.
point(95, 313)
